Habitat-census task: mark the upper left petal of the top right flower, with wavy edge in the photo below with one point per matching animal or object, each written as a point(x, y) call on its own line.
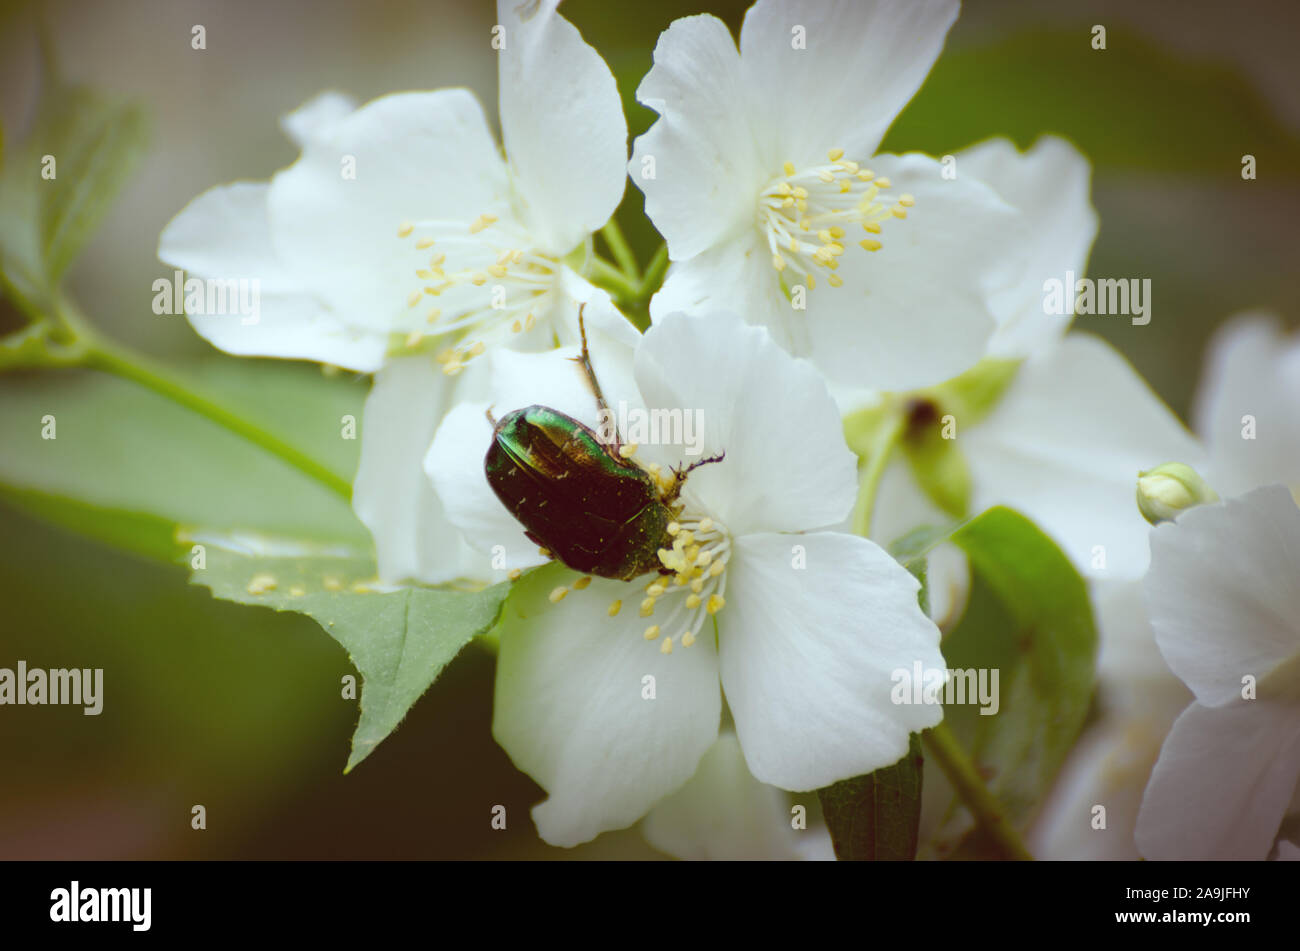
point(707, 176)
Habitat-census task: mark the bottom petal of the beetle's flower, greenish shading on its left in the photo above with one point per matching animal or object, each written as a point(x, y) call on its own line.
point(573, 713)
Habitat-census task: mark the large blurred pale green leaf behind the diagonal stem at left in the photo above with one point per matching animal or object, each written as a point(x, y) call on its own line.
point(127, 453)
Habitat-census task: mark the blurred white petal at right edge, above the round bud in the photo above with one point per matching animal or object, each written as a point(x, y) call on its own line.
point(1253, 371)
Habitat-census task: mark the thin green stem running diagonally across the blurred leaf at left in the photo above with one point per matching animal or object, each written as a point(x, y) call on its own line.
point(110, 358)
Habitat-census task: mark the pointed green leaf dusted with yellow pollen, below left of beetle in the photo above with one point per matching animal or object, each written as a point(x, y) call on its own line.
point(398, 640)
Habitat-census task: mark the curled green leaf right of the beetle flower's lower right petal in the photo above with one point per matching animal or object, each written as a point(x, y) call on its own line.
point(1029, 618)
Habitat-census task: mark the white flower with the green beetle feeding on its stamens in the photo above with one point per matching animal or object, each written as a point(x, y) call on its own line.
point(809, 624)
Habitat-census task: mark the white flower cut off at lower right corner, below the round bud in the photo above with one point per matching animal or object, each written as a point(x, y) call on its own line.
point(1225, 605)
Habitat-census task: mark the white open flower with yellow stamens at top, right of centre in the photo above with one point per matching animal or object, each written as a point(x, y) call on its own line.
point(762, 176)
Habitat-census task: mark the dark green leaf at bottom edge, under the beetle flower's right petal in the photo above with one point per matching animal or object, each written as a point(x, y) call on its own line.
point(877, 818)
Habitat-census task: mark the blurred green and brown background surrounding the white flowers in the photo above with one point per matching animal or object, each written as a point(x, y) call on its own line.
point(240, 709)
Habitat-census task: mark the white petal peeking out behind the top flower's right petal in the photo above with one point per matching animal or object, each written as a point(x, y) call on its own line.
point(1051, 188)
